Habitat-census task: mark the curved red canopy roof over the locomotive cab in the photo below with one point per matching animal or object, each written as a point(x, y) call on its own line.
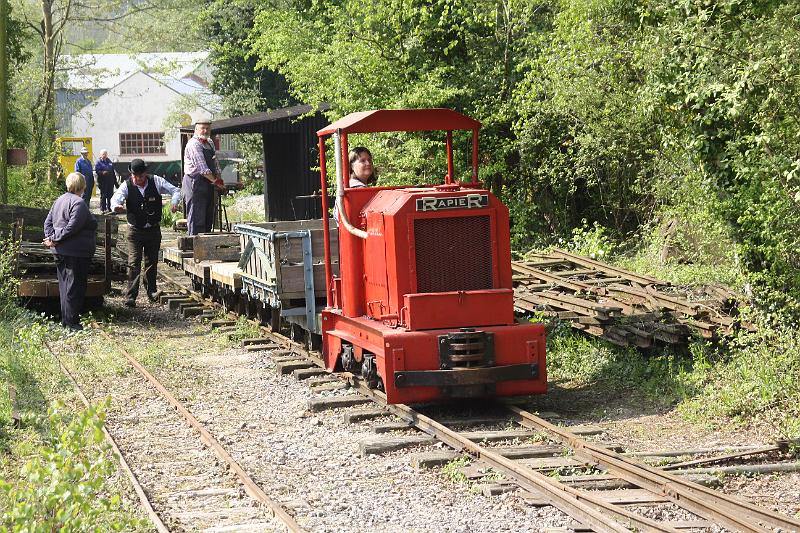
point(401, 120)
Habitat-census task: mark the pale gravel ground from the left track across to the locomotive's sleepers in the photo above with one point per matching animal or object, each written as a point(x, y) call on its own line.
point(308, 462)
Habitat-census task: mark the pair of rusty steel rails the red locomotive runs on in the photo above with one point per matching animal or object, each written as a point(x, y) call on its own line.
point(584, 507)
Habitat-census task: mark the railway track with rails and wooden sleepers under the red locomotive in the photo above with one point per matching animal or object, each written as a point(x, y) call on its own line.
point(696, 507)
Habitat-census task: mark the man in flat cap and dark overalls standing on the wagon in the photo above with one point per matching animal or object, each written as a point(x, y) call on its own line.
point(201, 179)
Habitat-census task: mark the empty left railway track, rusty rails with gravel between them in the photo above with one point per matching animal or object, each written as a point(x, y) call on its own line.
point(185, 479)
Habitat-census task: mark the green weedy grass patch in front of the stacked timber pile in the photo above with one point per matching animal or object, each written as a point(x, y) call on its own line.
point(751, 379)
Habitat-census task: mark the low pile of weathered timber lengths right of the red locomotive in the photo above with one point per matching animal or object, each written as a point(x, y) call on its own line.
point(623, 307)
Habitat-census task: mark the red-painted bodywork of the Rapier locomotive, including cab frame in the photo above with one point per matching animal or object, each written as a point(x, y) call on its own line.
point(376, 304)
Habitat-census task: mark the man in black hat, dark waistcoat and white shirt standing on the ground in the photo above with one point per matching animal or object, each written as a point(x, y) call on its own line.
point(141, 194)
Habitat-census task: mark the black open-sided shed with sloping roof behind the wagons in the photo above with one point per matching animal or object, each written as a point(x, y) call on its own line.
point(290, 154)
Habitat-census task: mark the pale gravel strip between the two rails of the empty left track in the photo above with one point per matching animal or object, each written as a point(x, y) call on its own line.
point(186, 485)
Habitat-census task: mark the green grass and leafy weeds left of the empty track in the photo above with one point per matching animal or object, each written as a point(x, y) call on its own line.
point(56, 470)
